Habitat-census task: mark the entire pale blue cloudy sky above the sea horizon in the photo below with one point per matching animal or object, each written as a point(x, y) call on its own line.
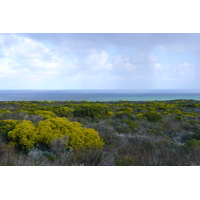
point(99, 61)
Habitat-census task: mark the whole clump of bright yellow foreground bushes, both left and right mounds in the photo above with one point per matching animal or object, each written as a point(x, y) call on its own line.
point(25, 135)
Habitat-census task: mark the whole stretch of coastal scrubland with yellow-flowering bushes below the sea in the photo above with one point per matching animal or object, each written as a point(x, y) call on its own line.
point(116, 133)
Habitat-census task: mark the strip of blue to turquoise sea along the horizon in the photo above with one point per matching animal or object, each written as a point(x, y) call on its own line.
point(97, 95)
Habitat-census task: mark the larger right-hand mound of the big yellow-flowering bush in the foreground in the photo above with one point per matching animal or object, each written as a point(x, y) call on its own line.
point(79, 137)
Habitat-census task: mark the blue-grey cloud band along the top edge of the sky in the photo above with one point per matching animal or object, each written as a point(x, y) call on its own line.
point(82, 40)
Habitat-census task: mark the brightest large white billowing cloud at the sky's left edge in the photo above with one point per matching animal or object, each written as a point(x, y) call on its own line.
point(27, 58)
